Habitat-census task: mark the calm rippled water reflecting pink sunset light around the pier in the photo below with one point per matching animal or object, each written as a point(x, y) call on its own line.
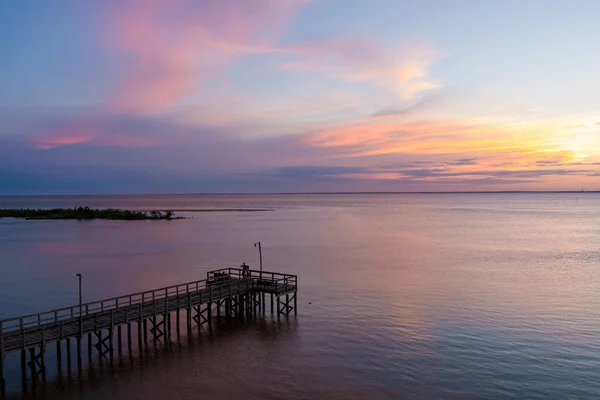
point(488, 296)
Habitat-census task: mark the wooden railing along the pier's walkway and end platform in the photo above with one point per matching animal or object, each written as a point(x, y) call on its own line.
point(91, 308)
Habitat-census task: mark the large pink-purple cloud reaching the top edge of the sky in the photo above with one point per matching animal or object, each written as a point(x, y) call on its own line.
point(175, 45)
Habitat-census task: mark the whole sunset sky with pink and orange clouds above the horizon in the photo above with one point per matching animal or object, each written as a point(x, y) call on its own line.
point(235, 96)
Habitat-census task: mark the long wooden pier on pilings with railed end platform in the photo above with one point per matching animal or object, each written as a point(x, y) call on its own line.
point(224, 293)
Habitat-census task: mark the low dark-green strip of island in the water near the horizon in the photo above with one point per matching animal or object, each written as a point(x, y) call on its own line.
point(87, 213)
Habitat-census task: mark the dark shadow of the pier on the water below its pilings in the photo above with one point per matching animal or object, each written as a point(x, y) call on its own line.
point(223, 342)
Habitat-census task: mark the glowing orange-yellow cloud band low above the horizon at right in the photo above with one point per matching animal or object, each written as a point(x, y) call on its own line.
point(497, 145)
